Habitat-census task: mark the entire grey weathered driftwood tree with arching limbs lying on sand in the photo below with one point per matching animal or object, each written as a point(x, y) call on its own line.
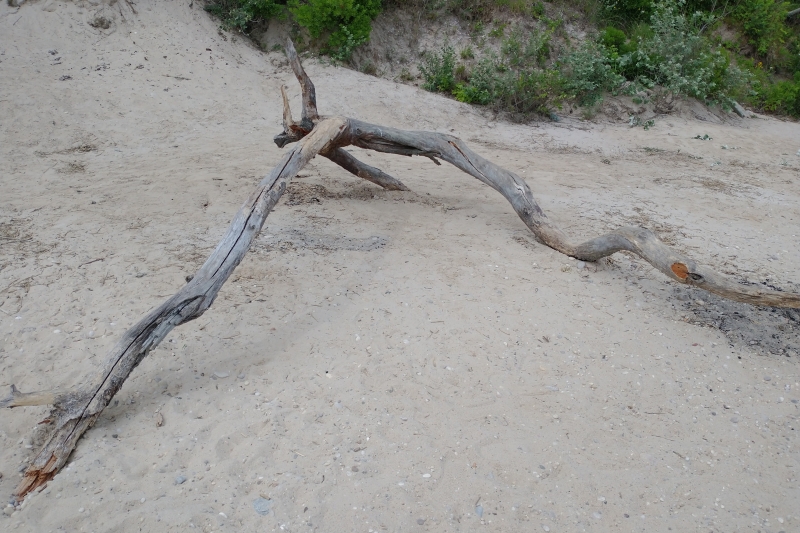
point(76, 410)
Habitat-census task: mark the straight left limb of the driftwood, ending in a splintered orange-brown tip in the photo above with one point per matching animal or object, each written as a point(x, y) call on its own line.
point(76, 411)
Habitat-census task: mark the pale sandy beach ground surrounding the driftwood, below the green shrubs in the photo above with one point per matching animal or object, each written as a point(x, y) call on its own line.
point(381, 361)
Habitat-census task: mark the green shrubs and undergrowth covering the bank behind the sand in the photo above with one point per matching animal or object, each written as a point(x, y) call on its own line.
point(743, 50)
